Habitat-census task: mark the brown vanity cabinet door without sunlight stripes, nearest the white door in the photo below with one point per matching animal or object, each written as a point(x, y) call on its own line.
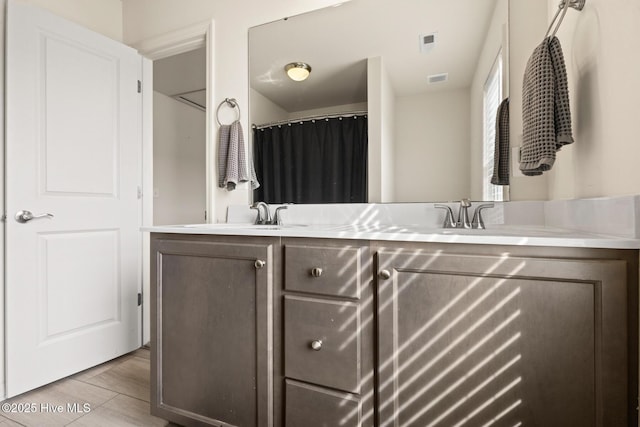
point(211, 329)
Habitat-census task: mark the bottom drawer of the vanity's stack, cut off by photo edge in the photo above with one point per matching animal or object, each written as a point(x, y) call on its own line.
point(311, 406)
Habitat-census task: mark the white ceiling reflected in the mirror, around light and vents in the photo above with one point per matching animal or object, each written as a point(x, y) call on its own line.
point(337, 41)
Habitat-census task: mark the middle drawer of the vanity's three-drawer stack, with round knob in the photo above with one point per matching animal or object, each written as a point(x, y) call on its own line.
point(333, 327)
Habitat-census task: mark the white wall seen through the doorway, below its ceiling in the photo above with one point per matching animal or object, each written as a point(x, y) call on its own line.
point(178, 162)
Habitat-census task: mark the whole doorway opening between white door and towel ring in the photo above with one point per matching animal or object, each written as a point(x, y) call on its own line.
point(179, 138)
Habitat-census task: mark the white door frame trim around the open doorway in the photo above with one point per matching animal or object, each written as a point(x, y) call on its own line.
point(186, 39)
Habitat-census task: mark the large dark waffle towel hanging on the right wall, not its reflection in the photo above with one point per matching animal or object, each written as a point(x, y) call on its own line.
point(546, 113)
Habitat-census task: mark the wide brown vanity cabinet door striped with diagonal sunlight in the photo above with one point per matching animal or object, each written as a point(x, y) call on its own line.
point(481, 340)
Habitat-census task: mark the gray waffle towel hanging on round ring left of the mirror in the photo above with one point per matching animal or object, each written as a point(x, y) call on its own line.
point(232, 161)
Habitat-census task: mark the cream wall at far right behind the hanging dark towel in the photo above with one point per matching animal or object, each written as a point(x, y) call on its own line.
point(601, 45)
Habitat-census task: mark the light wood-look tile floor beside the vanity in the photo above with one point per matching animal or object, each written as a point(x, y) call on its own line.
point(114, 394)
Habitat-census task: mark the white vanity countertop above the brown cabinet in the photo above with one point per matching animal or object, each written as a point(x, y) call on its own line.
point(493, 235)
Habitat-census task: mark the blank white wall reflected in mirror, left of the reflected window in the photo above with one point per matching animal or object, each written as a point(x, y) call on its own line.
point(432, 134)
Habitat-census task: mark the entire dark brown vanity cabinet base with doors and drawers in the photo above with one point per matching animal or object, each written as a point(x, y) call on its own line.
point(299, 332)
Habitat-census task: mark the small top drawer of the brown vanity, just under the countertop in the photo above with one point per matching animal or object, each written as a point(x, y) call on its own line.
point(321, 270)
